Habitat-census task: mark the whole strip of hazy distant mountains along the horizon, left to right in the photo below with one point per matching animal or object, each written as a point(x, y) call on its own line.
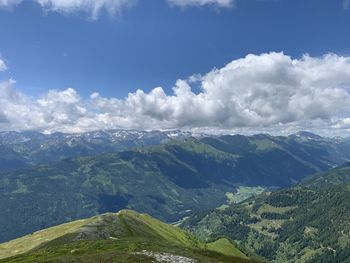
point(23, 149)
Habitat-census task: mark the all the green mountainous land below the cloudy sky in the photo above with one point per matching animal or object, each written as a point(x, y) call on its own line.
point(273, 198)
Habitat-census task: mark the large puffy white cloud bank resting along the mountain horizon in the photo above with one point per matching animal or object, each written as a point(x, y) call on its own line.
point(257, 92)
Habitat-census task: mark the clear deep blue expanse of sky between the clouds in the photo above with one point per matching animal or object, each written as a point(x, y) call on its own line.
point(153, 44)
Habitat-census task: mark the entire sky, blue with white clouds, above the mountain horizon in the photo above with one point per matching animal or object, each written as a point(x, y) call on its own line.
point(274, 66)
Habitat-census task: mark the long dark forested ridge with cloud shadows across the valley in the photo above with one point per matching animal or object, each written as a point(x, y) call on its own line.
point(169, 181)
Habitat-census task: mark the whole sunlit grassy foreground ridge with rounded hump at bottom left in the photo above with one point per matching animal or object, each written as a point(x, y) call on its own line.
point(126, 236)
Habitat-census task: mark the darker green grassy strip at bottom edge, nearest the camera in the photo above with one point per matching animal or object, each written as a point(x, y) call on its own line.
point(116, 251)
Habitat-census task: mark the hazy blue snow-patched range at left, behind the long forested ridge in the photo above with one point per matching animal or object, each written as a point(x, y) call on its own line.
point(21, 149)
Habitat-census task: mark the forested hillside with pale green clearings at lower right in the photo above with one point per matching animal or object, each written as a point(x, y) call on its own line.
point(299, 224)
